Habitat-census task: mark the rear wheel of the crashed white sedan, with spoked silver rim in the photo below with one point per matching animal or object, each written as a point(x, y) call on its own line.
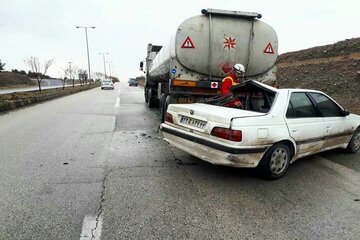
point(276, 161)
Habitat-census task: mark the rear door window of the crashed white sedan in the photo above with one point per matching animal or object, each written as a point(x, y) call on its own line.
point(300, 106)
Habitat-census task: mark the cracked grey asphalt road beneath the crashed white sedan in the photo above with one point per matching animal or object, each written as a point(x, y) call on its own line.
point(93, 166)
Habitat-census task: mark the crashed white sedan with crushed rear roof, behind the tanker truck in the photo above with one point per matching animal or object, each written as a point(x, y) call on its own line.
point(273, 128)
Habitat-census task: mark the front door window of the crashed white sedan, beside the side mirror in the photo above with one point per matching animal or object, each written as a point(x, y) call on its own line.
point(326, 106)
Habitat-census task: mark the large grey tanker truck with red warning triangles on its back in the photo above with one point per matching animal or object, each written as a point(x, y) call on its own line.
point(191, 66)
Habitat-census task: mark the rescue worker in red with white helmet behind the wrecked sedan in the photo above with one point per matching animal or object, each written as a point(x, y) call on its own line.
point(232, 79)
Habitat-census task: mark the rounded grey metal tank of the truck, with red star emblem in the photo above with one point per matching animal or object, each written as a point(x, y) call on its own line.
point(211, 44)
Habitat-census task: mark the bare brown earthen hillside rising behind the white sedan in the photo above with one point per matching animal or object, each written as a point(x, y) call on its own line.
point(333, 69)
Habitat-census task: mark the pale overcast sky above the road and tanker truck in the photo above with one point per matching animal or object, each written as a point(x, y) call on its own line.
point(46, 28)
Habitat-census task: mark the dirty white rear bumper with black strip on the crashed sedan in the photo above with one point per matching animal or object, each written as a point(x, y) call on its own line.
point(215, 153)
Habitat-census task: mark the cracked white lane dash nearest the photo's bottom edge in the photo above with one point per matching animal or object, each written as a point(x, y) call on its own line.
point(89, 230)
